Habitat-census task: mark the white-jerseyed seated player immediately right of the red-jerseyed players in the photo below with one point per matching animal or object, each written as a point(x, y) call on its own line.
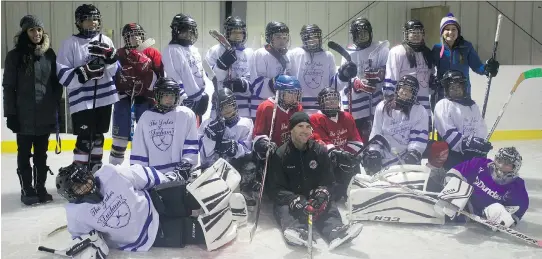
point(403, 123)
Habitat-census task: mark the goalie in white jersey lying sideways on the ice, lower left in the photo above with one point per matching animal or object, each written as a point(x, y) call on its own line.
point(136, 207)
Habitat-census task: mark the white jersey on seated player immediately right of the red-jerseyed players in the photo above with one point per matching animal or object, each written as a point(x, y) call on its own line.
point(402, 132)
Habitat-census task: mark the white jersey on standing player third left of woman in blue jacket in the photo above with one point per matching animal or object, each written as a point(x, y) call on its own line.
point(314, 72)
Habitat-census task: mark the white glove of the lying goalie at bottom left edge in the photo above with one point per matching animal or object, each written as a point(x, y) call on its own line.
point(96, 248)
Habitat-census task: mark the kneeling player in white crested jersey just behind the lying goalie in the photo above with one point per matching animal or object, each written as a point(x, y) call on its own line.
point(166, 136)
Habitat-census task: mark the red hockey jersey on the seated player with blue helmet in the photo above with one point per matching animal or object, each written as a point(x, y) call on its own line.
point(264, 115)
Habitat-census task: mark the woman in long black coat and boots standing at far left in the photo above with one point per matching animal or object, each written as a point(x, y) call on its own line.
point(32, 95)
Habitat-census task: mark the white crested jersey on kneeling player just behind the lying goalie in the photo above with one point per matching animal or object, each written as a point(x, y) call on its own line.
point(163, 140)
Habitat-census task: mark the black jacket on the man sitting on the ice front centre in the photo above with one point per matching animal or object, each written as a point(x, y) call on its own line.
point(295, 172)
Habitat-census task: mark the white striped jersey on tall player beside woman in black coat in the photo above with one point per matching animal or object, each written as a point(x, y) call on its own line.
point(72, 54)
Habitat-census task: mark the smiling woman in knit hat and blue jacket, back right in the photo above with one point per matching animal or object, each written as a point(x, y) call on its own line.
point(456, 53)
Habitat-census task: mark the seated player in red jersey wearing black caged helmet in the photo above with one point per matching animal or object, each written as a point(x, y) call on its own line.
point(336, 130)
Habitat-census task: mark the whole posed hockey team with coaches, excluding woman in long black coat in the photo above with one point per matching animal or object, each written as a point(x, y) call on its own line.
point(190, 181)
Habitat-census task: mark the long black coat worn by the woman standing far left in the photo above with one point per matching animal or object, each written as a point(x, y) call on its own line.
point(31, 88)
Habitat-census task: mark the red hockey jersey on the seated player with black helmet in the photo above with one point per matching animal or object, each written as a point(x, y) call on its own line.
point(342, 134)
